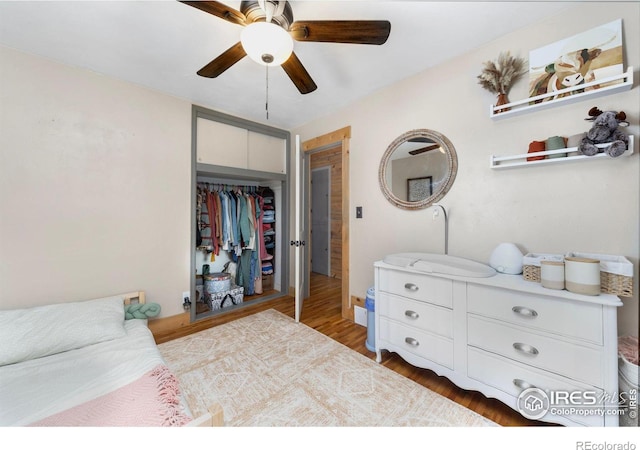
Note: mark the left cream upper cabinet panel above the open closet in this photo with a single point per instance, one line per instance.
(221, 145)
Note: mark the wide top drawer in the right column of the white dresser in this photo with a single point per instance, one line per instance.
(553, 315)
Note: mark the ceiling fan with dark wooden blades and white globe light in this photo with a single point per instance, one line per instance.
(276, 18)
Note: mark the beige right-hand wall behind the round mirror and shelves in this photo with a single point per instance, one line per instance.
(590, 206)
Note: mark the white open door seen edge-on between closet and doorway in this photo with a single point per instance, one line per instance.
(299, 233)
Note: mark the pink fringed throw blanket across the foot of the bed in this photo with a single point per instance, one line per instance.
(152, 400)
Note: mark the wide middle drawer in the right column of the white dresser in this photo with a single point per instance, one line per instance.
(577, 362)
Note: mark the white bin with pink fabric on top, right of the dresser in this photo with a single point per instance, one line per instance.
(628, 379)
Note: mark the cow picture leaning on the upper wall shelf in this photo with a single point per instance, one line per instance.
(581, 59)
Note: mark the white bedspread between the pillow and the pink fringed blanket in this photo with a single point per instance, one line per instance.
(37, 389)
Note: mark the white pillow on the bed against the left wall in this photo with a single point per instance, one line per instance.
(45, 330)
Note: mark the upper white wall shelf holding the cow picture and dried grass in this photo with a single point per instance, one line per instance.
(523, 106)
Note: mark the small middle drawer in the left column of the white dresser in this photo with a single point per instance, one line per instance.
(425, 316)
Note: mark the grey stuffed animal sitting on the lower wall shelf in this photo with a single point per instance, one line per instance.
(605, 131)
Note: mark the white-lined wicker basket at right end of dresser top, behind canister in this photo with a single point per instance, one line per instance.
(616, 273)
